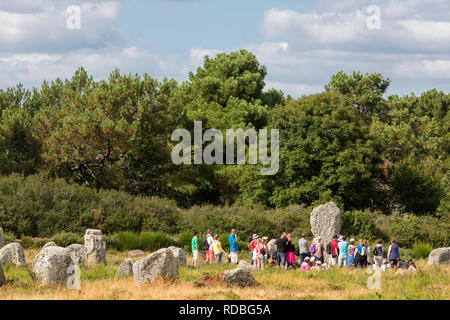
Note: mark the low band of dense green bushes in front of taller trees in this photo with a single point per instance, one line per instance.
(38, 206)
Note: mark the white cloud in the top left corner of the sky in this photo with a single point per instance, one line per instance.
(42, 27)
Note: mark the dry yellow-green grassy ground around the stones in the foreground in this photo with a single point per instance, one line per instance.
(429, 282)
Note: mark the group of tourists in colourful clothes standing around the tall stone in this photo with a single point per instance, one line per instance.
(281, 252)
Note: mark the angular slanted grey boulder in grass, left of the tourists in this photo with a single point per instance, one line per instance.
(160, 263)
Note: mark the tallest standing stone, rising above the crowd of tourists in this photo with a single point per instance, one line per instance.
(325, 222)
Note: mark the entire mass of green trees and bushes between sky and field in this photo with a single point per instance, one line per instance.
(80, 153)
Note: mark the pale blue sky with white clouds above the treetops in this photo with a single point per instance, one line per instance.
(301, 43)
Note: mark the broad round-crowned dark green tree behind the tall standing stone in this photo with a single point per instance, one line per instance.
(326, 153)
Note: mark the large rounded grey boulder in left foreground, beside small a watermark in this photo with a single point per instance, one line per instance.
(52, 265)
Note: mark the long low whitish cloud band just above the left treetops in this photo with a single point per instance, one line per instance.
(32, 69)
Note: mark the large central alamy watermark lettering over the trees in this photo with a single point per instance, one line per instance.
(213, 152)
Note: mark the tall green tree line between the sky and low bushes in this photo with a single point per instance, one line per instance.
(351, 143)
